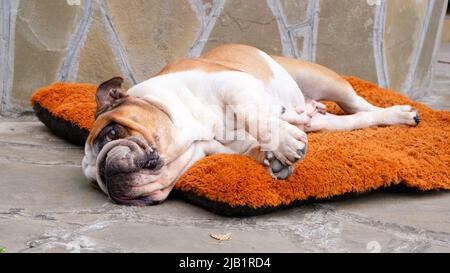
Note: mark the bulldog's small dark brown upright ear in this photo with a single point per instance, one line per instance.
(108, 93)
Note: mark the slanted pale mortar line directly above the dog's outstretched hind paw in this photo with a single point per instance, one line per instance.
(407, 85)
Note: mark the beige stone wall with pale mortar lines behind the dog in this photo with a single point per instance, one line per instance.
(391, 42)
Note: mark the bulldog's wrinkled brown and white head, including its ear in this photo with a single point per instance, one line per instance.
(126, 151)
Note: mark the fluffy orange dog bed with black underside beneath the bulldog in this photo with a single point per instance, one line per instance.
(337, 163)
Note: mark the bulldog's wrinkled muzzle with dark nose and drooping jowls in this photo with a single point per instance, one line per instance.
(128, 167)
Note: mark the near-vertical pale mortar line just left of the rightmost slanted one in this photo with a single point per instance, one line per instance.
(378, 45)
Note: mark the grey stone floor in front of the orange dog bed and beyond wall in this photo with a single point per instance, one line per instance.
(46, 205)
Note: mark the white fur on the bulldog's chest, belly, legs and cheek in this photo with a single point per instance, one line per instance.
(197, 102)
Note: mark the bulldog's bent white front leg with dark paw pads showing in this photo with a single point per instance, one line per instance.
(281, 144)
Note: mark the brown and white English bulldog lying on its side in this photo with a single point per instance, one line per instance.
(234, 99)
